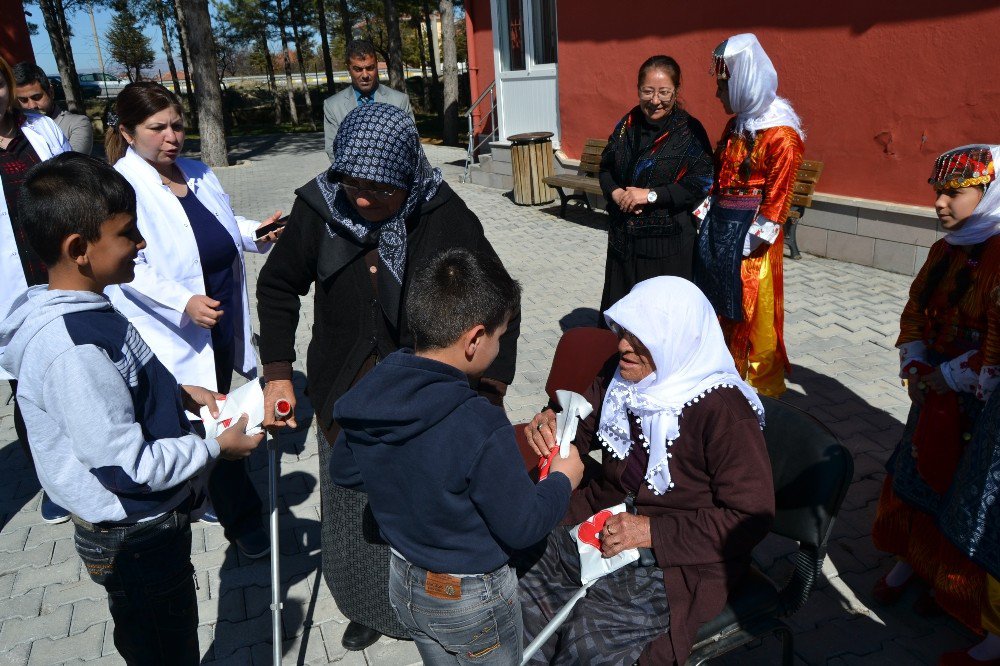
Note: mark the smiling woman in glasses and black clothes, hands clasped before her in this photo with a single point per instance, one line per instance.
(656, 169)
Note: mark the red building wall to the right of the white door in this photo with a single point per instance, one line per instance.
(882, 87)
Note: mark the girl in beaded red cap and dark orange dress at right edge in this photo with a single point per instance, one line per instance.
(949, 346)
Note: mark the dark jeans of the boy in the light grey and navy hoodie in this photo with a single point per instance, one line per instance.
(147, 572)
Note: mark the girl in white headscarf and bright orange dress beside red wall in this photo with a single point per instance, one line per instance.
(740, 250)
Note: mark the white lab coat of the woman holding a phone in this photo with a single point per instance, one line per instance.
(168, 272)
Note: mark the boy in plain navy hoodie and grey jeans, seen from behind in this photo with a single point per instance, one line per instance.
(441, 467)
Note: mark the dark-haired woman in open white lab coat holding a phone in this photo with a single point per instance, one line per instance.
(189, 299)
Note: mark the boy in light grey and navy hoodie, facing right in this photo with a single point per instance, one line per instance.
(106, 419)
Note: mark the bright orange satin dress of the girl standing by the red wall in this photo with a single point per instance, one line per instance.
(757, 343)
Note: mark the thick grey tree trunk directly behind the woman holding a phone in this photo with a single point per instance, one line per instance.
(205, 70)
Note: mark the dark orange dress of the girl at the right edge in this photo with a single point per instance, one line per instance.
(960, 587)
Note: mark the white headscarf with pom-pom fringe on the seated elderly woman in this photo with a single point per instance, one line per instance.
(678, 326)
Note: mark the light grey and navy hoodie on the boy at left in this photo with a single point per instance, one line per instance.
(105, 422)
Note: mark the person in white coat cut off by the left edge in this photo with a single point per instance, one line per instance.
(25, 140)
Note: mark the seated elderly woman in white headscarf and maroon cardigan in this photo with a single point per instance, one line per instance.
(684, 451)
